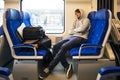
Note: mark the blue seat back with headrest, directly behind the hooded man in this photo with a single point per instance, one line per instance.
(99, 27)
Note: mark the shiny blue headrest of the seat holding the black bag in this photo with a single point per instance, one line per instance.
(13, 14)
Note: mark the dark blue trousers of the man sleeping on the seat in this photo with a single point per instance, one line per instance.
(61, 48)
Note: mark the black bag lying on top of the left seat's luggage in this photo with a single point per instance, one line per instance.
(32, 33)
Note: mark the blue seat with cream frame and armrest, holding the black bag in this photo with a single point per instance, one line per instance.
(12, 20)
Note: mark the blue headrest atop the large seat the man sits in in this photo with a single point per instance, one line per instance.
(102, 14)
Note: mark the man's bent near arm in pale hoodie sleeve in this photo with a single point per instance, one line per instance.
(84, 27)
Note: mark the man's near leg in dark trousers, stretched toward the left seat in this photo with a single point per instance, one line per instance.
(73, 42)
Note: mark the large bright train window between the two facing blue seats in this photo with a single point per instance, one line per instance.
(47, 13)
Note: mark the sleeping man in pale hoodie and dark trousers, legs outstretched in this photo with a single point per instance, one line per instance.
(79, 33)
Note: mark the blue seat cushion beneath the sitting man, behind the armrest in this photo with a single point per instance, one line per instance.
(85, 52)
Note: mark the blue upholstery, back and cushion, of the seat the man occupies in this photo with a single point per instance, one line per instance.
(99, 26)
